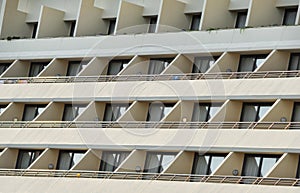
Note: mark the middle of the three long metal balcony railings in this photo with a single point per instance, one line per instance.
(144, 124)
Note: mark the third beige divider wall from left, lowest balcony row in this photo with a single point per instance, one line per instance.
(90, 161)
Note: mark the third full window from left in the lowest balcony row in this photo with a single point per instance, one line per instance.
(112, 160)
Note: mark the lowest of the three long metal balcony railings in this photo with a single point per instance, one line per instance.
(153, 176)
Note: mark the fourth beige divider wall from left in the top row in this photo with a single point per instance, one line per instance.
(130, 19)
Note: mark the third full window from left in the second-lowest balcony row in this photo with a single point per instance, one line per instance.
(114, 111)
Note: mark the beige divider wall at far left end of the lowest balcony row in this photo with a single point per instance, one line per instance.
(11, 155)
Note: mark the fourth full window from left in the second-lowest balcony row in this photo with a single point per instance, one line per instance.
(157, 111)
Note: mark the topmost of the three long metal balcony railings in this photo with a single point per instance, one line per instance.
(146, 77)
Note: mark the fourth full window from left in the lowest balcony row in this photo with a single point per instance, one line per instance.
(158, 162)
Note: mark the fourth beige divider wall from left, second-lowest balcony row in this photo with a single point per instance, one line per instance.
(136, 112)
